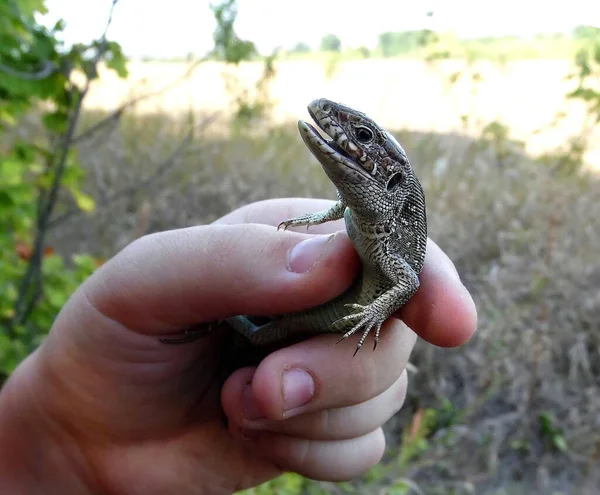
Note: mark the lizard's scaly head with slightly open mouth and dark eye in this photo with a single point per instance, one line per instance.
(360, 158)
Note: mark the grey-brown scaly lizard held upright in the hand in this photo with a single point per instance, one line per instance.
(383, 205)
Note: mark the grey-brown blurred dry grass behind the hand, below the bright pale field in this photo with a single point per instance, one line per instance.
(525, 241)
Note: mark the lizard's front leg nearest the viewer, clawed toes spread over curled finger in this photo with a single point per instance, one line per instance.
(372, 316)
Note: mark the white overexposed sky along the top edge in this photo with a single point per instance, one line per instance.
(177, 27)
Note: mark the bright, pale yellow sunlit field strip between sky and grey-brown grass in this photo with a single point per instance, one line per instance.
(525, 95)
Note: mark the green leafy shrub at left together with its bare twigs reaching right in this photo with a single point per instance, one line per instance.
(37, 78)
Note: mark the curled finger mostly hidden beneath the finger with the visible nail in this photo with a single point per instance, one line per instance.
(340, 423)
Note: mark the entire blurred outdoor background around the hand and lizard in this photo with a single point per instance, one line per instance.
(122, 118)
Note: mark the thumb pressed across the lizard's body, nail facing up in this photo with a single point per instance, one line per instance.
(166, 281)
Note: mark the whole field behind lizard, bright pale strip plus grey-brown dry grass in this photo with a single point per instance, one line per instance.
(517, 409)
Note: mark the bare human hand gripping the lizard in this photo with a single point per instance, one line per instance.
(102, 406)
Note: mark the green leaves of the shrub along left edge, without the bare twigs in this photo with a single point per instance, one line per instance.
(36, 72)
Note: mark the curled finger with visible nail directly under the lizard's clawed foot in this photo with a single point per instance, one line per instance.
(317, 374)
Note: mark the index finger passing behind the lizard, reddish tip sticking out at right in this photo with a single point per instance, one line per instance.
(441, 312)
